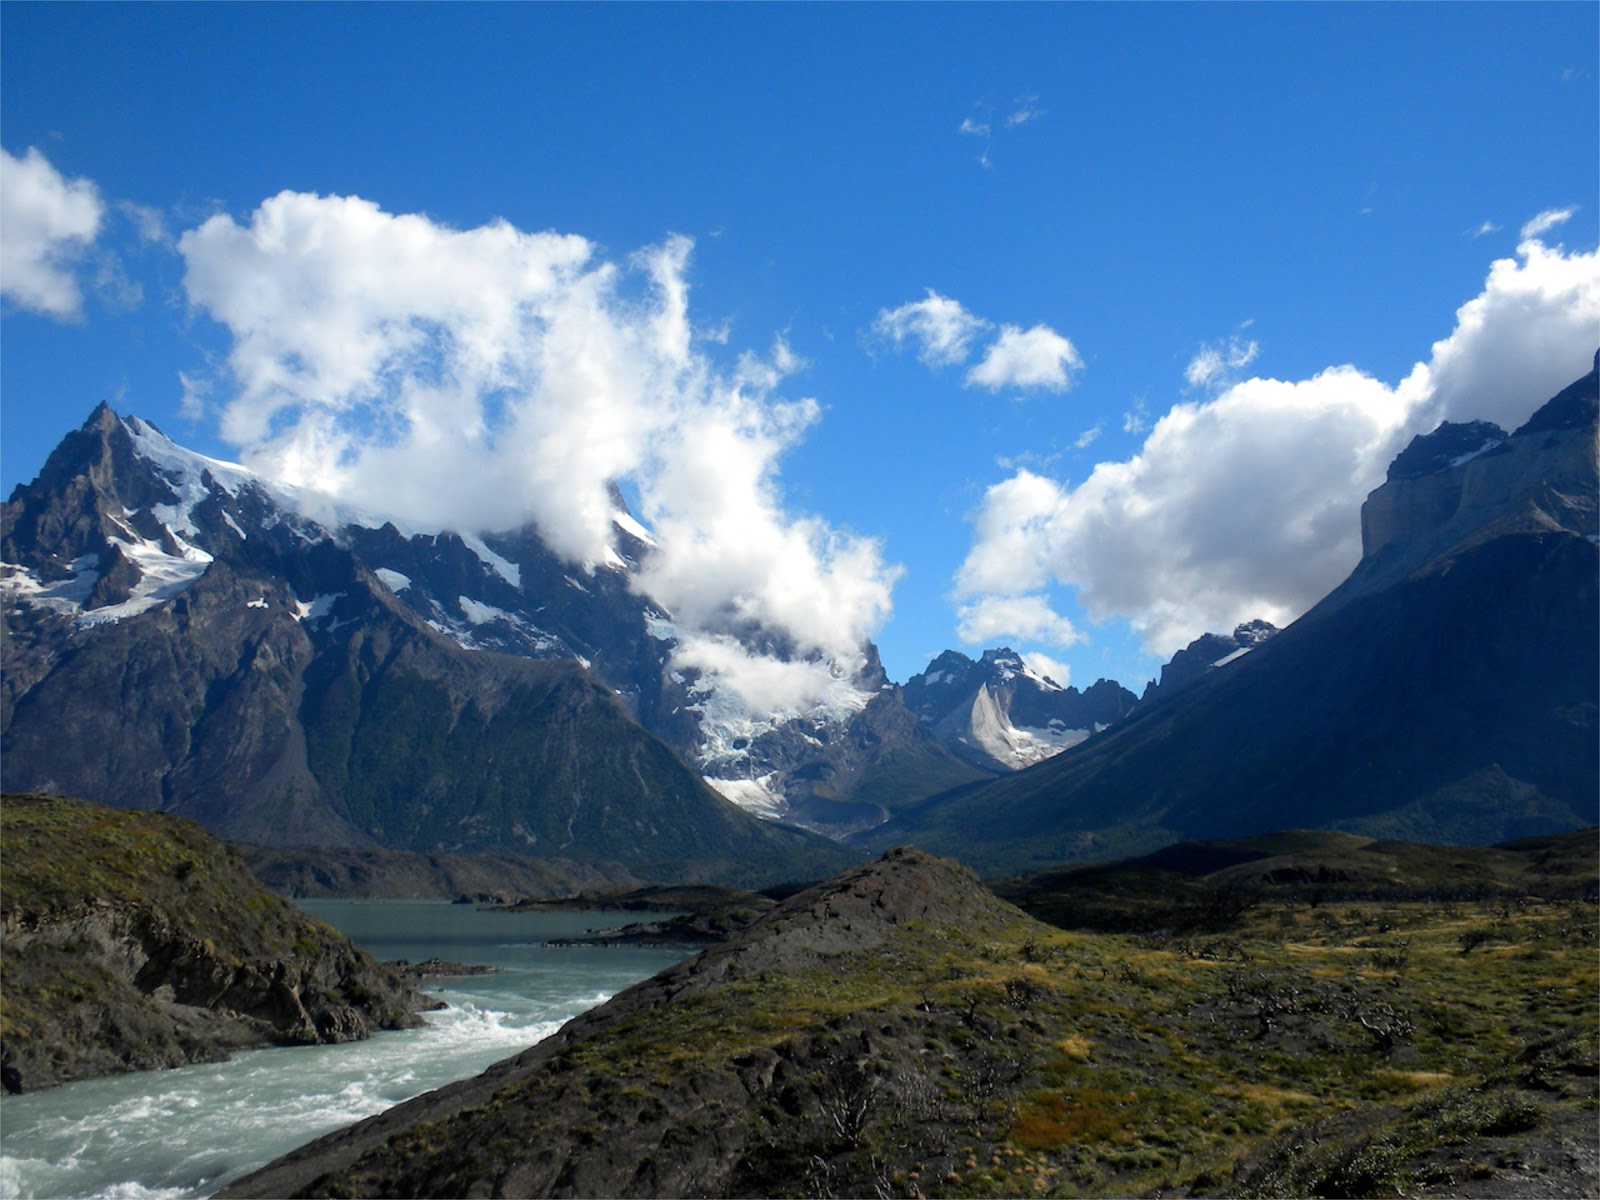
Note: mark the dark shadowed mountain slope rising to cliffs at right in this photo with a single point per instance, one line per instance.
(1447, 692)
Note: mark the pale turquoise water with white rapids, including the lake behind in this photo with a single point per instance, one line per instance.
(191, 1130)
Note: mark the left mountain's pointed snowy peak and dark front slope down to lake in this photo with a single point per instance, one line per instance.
(215, 655)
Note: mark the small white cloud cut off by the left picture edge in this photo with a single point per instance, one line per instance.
(47, 223)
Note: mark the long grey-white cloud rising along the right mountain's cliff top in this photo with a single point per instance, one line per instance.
(1249, 503)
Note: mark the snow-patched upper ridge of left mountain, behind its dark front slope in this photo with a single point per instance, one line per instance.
(124, 522)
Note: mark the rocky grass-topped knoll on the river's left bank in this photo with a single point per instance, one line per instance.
(135, 942)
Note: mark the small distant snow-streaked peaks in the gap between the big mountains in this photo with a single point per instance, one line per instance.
(1001, 714)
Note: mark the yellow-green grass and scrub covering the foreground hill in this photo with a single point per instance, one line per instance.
(1319, 1050)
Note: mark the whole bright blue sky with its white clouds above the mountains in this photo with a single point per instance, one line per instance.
(1110, 314)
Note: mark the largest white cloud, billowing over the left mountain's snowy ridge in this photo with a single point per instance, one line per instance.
(486, 378)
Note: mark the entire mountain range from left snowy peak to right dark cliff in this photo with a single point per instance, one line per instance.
(182, 634)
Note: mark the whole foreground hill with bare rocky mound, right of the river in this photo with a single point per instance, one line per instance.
(902, 1031)
